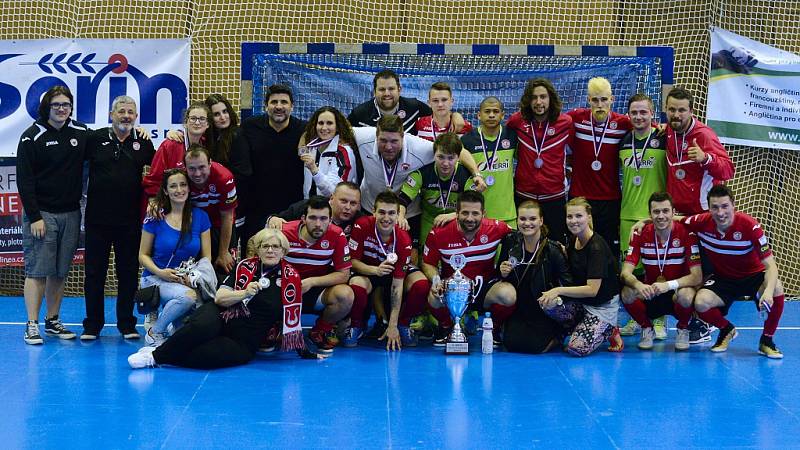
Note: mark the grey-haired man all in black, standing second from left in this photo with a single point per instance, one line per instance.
(118, 156)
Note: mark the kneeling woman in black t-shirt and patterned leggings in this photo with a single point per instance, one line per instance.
(589, 307)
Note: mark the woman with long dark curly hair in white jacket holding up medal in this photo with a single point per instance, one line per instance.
(326, 150)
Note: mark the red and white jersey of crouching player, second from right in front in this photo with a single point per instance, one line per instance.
(676, 256)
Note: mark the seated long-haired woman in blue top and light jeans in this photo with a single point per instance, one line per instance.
(182, 232)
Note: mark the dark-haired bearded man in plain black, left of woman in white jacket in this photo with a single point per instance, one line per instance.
(269, 144)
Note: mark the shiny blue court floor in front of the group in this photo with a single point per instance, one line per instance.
(73, 395)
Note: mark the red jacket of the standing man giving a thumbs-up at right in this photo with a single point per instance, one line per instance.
(689, 192)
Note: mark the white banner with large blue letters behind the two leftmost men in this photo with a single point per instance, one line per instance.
(155, 72)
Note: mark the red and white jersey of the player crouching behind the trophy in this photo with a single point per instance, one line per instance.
(446, 241)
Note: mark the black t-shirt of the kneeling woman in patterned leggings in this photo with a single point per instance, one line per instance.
(594, 261)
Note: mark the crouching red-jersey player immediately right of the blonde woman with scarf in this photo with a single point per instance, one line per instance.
(318, 250)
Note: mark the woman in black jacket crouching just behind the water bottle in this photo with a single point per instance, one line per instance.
(533, 264)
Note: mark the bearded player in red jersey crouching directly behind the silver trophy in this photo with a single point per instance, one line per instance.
(477, 239)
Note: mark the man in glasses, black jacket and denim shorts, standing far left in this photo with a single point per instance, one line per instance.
(49, 167)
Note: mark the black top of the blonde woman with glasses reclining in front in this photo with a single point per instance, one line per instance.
(266, 309)
